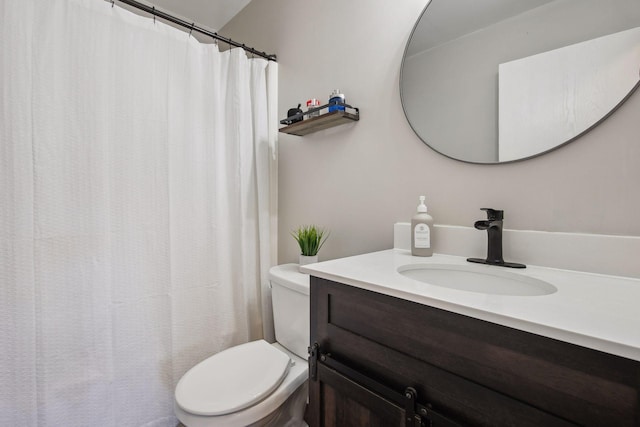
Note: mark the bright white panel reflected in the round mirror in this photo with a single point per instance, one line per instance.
(549, 98)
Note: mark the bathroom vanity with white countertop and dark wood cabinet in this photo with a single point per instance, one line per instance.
(390, 350)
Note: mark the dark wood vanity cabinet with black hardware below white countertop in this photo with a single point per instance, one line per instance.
(372, 351)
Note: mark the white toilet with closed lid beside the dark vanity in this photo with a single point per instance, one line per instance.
(257, 383)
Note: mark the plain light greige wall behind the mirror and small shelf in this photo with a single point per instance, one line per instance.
(358, 179)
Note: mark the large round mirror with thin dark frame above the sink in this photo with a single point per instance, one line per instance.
(493, 81)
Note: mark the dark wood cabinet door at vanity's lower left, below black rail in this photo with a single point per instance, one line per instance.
(338, 401)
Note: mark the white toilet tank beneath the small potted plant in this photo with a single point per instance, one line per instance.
(290, 299)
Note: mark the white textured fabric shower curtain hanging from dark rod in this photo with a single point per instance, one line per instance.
(135, 210)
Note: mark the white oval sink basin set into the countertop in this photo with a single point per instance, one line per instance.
(480, 279)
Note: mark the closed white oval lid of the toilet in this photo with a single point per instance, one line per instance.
(233, 379)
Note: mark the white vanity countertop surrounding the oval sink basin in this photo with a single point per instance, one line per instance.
(592, 310)
